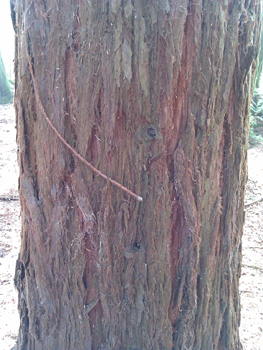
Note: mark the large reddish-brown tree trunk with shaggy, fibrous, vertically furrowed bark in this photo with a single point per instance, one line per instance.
(156, 96)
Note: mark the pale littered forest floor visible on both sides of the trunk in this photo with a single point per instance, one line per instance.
(251, 283)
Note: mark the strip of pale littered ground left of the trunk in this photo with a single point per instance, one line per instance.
(9, 228)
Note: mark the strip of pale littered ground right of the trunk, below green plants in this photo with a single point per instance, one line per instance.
(251, 283)
